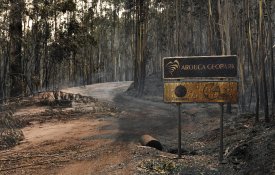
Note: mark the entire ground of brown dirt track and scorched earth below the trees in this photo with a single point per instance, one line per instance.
(90, 136)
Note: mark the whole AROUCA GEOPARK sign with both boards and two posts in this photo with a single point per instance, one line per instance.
(204, 79)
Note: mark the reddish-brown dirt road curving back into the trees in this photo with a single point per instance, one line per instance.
(107, 142)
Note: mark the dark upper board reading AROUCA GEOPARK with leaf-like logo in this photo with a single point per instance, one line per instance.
(200, 66)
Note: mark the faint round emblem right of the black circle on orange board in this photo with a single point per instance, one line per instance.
(211, 91)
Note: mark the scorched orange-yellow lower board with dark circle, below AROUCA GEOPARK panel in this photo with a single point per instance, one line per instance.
(201, 92)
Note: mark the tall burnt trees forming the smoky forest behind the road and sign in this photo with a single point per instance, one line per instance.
(51, 44)
